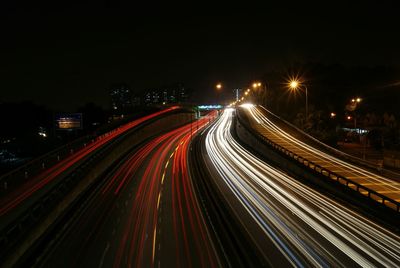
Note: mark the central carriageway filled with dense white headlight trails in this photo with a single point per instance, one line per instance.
(289, 222)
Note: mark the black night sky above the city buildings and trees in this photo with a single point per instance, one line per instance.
(67, 54)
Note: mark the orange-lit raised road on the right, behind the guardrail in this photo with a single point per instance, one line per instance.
(271, 130)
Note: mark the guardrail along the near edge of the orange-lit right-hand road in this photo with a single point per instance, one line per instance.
(365, 191)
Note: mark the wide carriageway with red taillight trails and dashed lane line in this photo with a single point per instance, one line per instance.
(145, 213)
